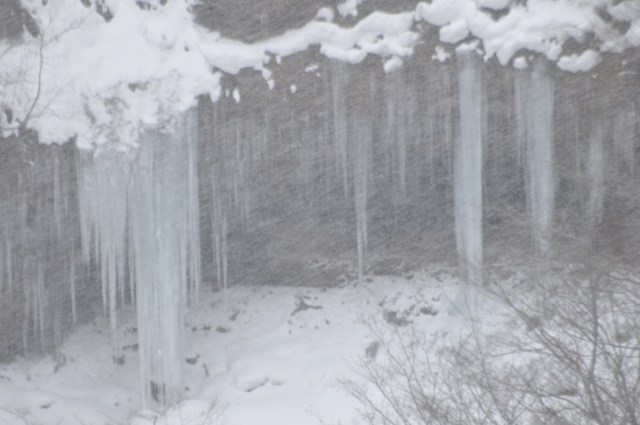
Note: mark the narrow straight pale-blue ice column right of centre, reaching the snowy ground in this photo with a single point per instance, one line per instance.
(468, 168)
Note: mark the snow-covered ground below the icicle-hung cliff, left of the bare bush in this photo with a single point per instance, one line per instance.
(253, 355)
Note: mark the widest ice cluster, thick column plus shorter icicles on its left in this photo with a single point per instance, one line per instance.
(156, 196)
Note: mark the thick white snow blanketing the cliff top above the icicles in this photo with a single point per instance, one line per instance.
(97, 80)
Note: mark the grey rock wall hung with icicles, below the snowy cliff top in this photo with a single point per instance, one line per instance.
(338, 173)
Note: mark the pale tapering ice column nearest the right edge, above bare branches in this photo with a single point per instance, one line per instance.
(539, 150)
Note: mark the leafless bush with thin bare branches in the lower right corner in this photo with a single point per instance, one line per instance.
(565, 349)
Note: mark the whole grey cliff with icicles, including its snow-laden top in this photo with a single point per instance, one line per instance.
(355, 144)
